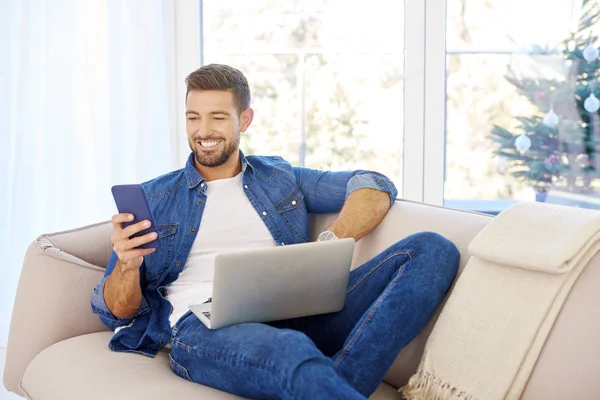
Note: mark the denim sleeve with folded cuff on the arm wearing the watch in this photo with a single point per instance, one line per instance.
(326, 191)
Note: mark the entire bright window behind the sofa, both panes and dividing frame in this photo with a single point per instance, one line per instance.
(329, 80)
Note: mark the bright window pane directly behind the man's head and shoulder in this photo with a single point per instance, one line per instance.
(327, 78)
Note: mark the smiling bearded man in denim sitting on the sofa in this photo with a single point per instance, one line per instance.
(223, 200)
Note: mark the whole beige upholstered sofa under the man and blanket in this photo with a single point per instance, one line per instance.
(57, 348)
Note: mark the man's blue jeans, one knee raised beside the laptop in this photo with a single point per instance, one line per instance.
(342, 355)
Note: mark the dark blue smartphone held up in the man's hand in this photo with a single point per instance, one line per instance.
(132, 199)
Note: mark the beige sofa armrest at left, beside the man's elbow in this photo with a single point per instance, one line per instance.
(52, 304)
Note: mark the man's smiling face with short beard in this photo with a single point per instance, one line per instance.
(213, 126)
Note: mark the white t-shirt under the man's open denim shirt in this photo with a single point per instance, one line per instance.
(229, 223)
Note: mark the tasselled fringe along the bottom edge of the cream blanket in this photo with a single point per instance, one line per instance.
(426, 386)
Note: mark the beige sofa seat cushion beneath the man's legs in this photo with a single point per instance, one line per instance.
(84, 368)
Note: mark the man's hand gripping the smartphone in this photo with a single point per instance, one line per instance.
(124, 246)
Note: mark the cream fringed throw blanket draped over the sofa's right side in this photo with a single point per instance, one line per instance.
(491, 331)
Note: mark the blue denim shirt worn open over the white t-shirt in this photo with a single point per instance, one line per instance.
(281, 194)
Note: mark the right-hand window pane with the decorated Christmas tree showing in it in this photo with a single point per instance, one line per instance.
(519, 125)
